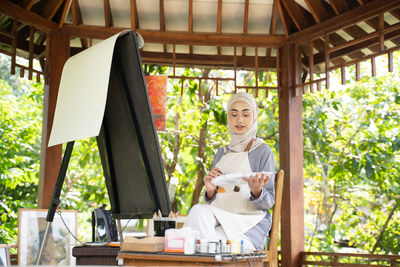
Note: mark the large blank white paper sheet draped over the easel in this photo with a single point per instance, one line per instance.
(83, 92)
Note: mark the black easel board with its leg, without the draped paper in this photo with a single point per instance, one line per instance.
(128, 144)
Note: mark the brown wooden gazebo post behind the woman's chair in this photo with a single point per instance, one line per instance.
(291, 157)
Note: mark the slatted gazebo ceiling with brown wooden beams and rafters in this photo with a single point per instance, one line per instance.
(206, 32)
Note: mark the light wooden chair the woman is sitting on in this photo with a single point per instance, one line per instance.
(272, 248)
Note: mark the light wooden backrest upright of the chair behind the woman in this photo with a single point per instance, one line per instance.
(276, 213)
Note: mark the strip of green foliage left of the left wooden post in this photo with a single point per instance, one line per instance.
(20, 145)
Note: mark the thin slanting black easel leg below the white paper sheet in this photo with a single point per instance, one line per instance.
(55, 201)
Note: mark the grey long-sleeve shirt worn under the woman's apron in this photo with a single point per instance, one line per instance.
(261, 159)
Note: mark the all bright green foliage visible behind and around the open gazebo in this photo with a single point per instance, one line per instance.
(351, 154)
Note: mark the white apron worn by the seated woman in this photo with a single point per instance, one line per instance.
(233, 210)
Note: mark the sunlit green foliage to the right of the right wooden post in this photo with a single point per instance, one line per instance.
(351, 165)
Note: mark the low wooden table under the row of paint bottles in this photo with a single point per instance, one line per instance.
(175, 259)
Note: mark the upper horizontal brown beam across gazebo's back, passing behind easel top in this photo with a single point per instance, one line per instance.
(175, 37)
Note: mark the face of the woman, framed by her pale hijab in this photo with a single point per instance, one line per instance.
(240, 117)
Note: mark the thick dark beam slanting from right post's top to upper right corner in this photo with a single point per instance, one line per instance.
(351, 17)
